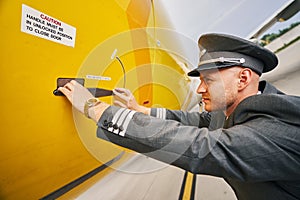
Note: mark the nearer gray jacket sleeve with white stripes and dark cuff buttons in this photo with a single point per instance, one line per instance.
(242, 152)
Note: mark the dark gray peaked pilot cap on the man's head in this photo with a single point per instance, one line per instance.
(221, 50)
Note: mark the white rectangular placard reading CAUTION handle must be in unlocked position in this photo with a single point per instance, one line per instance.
(42, 25)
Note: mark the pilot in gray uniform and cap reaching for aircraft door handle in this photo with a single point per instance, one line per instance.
(249, 134)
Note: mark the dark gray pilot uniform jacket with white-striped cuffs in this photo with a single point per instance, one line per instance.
(256, 150)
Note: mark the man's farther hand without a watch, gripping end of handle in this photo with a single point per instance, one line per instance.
(124, 98)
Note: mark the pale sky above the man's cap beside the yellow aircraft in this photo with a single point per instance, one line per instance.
(238, 17)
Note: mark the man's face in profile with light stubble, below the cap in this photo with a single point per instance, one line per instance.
(218, 88)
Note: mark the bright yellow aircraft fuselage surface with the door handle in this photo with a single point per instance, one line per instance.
(42, 147)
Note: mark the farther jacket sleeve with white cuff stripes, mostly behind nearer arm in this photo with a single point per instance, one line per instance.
(186, 118)
